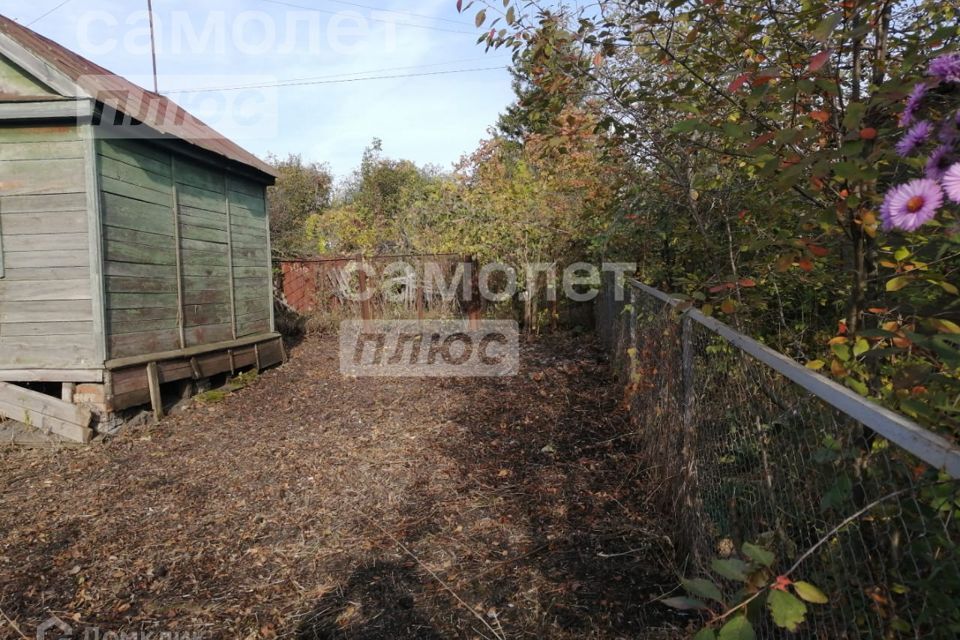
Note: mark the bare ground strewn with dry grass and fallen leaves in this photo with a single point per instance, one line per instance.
(312, 506)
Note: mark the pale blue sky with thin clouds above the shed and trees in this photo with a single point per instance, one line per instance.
(317, 47)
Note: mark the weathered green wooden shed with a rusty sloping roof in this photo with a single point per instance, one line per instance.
(134, 243)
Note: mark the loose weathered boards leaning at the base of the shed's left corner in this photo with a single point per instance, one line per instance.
(46, 412)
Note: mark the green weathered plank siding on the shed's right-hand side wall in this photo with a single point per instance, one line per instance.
(168, 235)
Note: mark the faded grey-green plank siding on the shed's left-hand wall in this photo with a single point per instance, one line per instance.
(46, 309)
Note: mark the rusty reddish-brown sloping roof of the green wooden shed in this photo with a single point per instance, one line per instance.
(156, 111)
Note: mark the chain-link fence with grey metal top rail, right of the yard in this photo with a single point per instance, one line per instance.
(744, 445)
